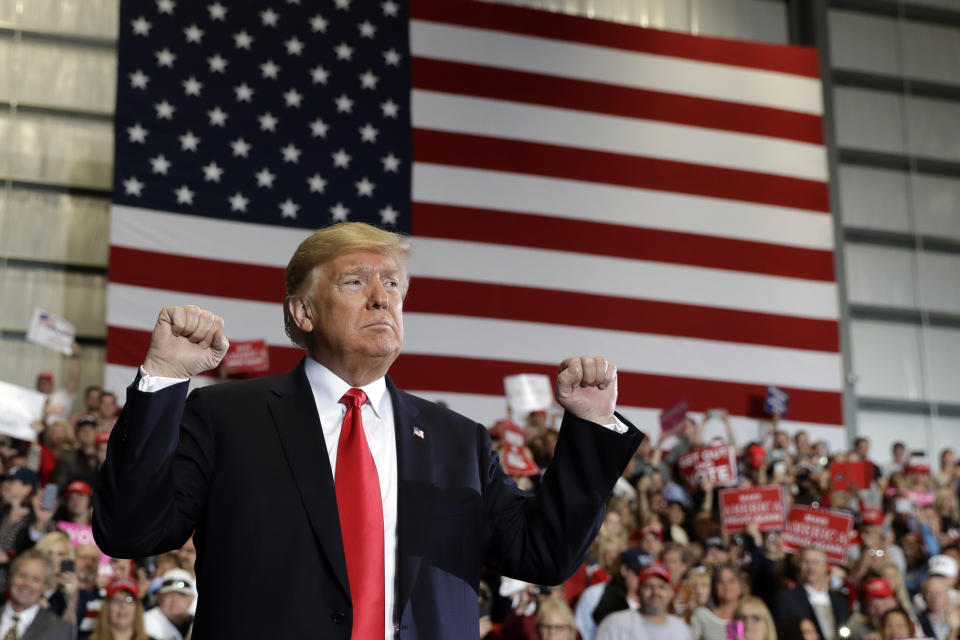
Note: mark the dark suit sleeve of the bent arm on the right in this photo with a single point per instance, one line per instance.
(543, 538)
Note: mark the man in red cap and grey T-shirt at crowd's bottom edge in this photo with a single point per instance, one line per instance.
(652, 622)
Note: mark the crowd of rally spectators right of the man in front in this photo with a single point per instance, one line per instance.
(663, 567)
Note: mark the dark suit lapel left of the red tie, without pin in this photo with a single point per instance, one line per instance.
(294, 412)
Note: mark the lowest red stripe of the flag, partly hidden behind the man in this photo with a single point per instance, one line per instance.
(127, 347)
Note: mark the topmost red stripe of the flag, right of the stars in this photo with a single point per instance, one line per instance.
(557, 26)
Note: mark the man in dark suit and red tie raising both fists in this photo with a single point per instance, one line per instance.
(305, 529)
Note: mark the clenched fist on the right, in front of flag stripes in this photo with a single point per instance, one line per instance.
(587, 387)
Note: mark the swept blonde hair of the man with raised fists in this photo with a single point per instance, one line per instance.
(324, 245)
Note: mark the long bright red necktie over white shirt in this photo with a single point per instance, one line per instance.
(361, 521)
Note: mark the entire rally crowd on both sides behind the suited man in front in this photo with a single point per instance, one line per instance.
(660, 567)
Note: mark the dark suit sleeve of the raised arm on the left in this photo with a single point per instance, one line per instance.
(152, 485)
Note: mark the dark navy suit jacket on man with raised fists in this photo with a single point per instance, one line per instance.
(245, 465)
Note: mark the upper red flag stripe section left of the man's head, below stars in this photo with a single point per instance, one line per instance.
(196, 275)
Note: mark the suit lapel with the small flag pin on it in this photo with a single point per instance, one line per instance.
(413, 492)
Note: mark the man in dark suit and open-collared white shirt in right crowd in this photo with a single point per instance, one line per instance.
(813, 598)
